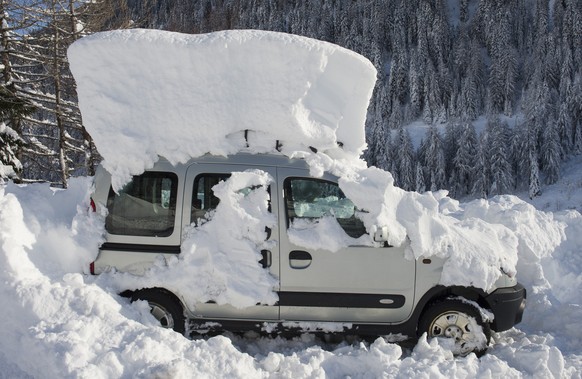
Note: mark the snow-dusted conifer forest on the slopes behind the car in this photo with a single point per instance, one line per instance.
(480, 97)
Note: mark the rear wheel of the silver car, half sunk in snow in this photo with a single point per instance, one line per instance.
(164, 307)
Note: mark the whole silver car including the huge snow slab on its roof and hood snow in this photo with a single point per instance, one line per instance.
(262, 213)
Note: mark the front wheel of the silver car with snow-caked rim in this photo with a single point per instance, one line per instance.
(461, 321)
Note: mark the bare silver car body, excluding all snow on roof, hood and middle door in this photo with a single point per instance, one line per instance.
(362, 289)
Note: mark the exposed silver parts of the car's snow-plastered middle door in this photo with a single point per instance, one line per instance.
(198, 200)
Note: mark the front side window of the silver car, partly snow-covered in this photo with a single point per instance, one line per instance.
(317, 198)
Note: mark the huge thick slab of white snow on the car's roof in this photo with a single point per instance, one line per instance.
(146, 93)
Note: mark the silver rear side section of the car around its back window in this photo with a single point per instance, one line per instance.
(143, 219)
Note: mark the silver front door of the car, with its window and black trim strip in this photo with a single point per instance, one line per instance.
(352, 284)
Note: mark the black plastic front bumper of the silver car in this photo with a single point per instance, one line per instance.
(507, 304)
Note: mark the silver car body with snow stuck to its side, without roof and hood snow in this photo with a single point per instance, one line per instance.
(299, 242)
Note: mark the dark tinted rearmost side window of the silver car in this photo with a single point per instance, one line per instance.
(144, 207)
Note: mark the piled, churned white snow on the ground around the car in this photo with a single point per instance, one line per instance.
(58, 324)
